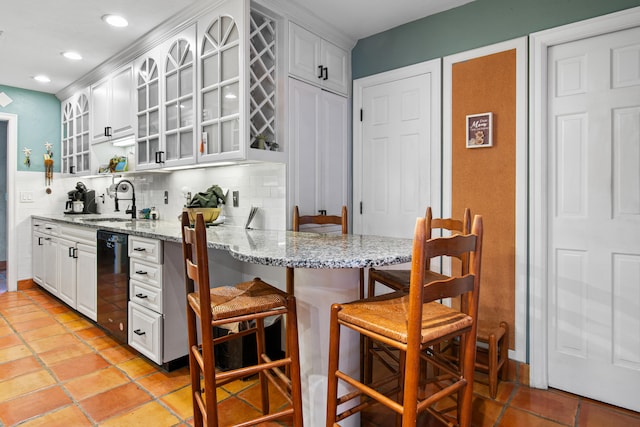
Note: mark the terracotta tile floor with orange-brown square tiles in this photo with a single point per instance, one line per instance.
(58, 369)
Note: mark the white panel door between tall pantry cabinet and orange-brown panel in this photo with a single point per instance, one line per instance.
(400, 158)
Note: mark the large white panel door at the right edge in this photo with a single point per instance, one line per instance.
(594, 217)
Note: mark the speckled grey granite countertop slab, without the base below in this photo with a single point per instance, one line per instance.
(266, 247)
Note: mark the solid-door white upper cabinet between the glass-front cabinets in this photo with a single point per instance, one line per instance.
(112, 106)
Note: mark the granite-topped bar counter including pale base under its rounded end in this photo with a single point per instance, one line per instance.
(326, 271)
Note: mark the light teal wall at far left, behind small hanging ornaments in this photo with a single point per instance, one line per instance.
(38, 122)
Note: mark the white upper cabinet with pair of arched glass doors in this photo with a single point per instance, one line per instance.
(165, 90)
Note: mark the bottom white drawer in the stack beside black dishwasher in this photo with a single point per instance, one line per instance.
(145, 331)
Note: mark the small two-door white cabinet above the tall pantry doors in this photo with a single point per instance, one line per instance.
(318, 61)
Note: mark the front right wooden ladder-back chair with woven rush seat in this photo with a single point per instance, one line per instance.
(412, 323)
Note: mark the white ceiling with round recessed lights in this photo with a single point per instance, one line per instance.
(34, 33)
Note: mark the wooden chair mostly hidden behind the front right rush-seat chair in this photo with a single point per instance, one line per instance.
(398, 280)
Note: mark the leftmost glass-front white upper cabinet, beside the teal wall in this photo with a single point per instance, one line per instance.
(75, 151)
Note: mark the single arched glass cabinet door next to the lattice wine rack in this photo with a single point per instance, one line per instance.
(221, 83)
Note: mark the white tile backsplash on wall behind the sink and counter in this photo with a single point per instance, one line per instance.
(258, 184)
